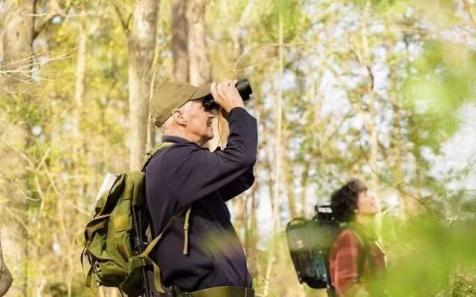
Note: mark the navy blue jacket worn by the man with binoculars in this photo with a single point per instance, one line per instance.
(188, 174)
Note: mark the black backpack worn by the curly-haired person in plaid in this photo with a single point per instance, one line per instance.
(310, 242)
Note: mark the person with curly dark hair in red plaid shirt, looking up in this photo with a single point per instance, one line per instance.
(356, 257)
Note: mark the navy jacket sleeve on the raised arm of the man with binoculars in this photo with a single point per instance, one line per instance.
(200, 172)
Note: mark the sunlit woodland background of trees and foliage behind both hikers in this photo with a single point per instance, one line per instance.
(382, 90)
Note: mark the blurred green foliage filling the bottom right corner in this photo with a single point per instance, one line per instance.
(429, 256)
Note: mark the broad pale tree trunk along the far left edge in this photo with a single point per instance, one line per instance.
(17, 58)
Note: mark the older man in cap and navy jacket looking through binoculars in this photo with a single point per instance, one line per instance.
(200, 255)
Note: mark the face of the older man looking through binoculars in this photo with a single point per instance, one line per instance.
(199, 122)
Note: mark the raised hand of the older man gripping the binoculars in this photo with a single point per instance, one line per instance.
(226, 95)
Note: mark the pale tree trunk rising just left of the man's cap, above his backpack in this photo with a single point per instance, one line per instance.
(142, 39)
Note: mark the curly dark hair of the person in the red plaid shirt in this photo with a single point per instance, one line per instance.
(344, 200)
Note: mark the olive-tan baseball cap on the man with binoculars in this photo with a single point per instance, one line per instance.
(172, 95)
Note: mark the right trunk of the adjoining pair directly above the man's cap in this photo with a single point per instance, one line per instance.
(200, 68)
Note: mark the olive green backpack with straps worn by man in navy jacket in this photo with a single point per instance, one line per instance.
(114, 237)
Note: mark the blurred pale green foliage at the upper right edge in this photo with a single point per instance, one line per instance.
(444, 79)
